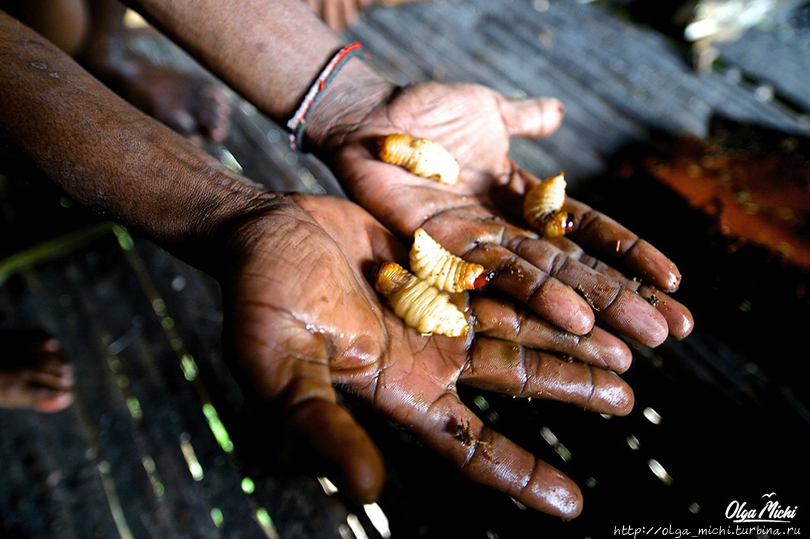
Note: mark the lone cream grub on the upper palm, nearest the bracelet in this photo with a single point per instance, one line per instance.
(420, 156)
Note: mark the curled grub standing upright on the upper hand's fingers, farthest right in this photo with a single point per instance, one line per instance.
(542, 208)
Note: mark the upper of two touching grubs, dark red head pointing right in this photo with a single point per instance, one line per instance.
(434, 264)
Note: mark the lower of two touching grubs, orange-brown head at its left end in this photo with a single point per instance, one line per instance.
(420, 305)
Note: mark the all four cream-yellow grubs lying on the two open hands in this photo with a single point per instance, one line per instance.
(422, 298)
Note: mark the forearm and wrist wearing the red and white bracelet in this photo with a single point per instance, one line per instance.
(270, 52)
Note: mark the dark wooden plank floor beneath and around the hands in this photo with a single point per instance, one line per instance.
(161, 444)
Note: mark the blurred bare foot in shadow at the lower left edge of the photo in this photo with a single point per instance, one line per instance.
(33, 372)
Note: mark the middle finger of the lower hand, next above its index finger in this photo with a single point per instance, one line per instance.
(516, 370)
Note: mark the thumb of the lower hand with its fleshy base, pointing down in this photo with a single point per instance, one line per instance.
(289, 365)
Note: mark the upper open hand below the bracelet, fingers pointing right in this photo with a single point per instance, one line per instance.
(480, 218)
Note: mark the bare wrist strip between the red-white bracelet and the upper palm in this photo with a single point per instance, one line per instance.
(356, 91)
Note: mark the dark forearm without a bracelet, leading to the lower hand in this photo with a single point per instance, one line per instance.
(109, 156)
